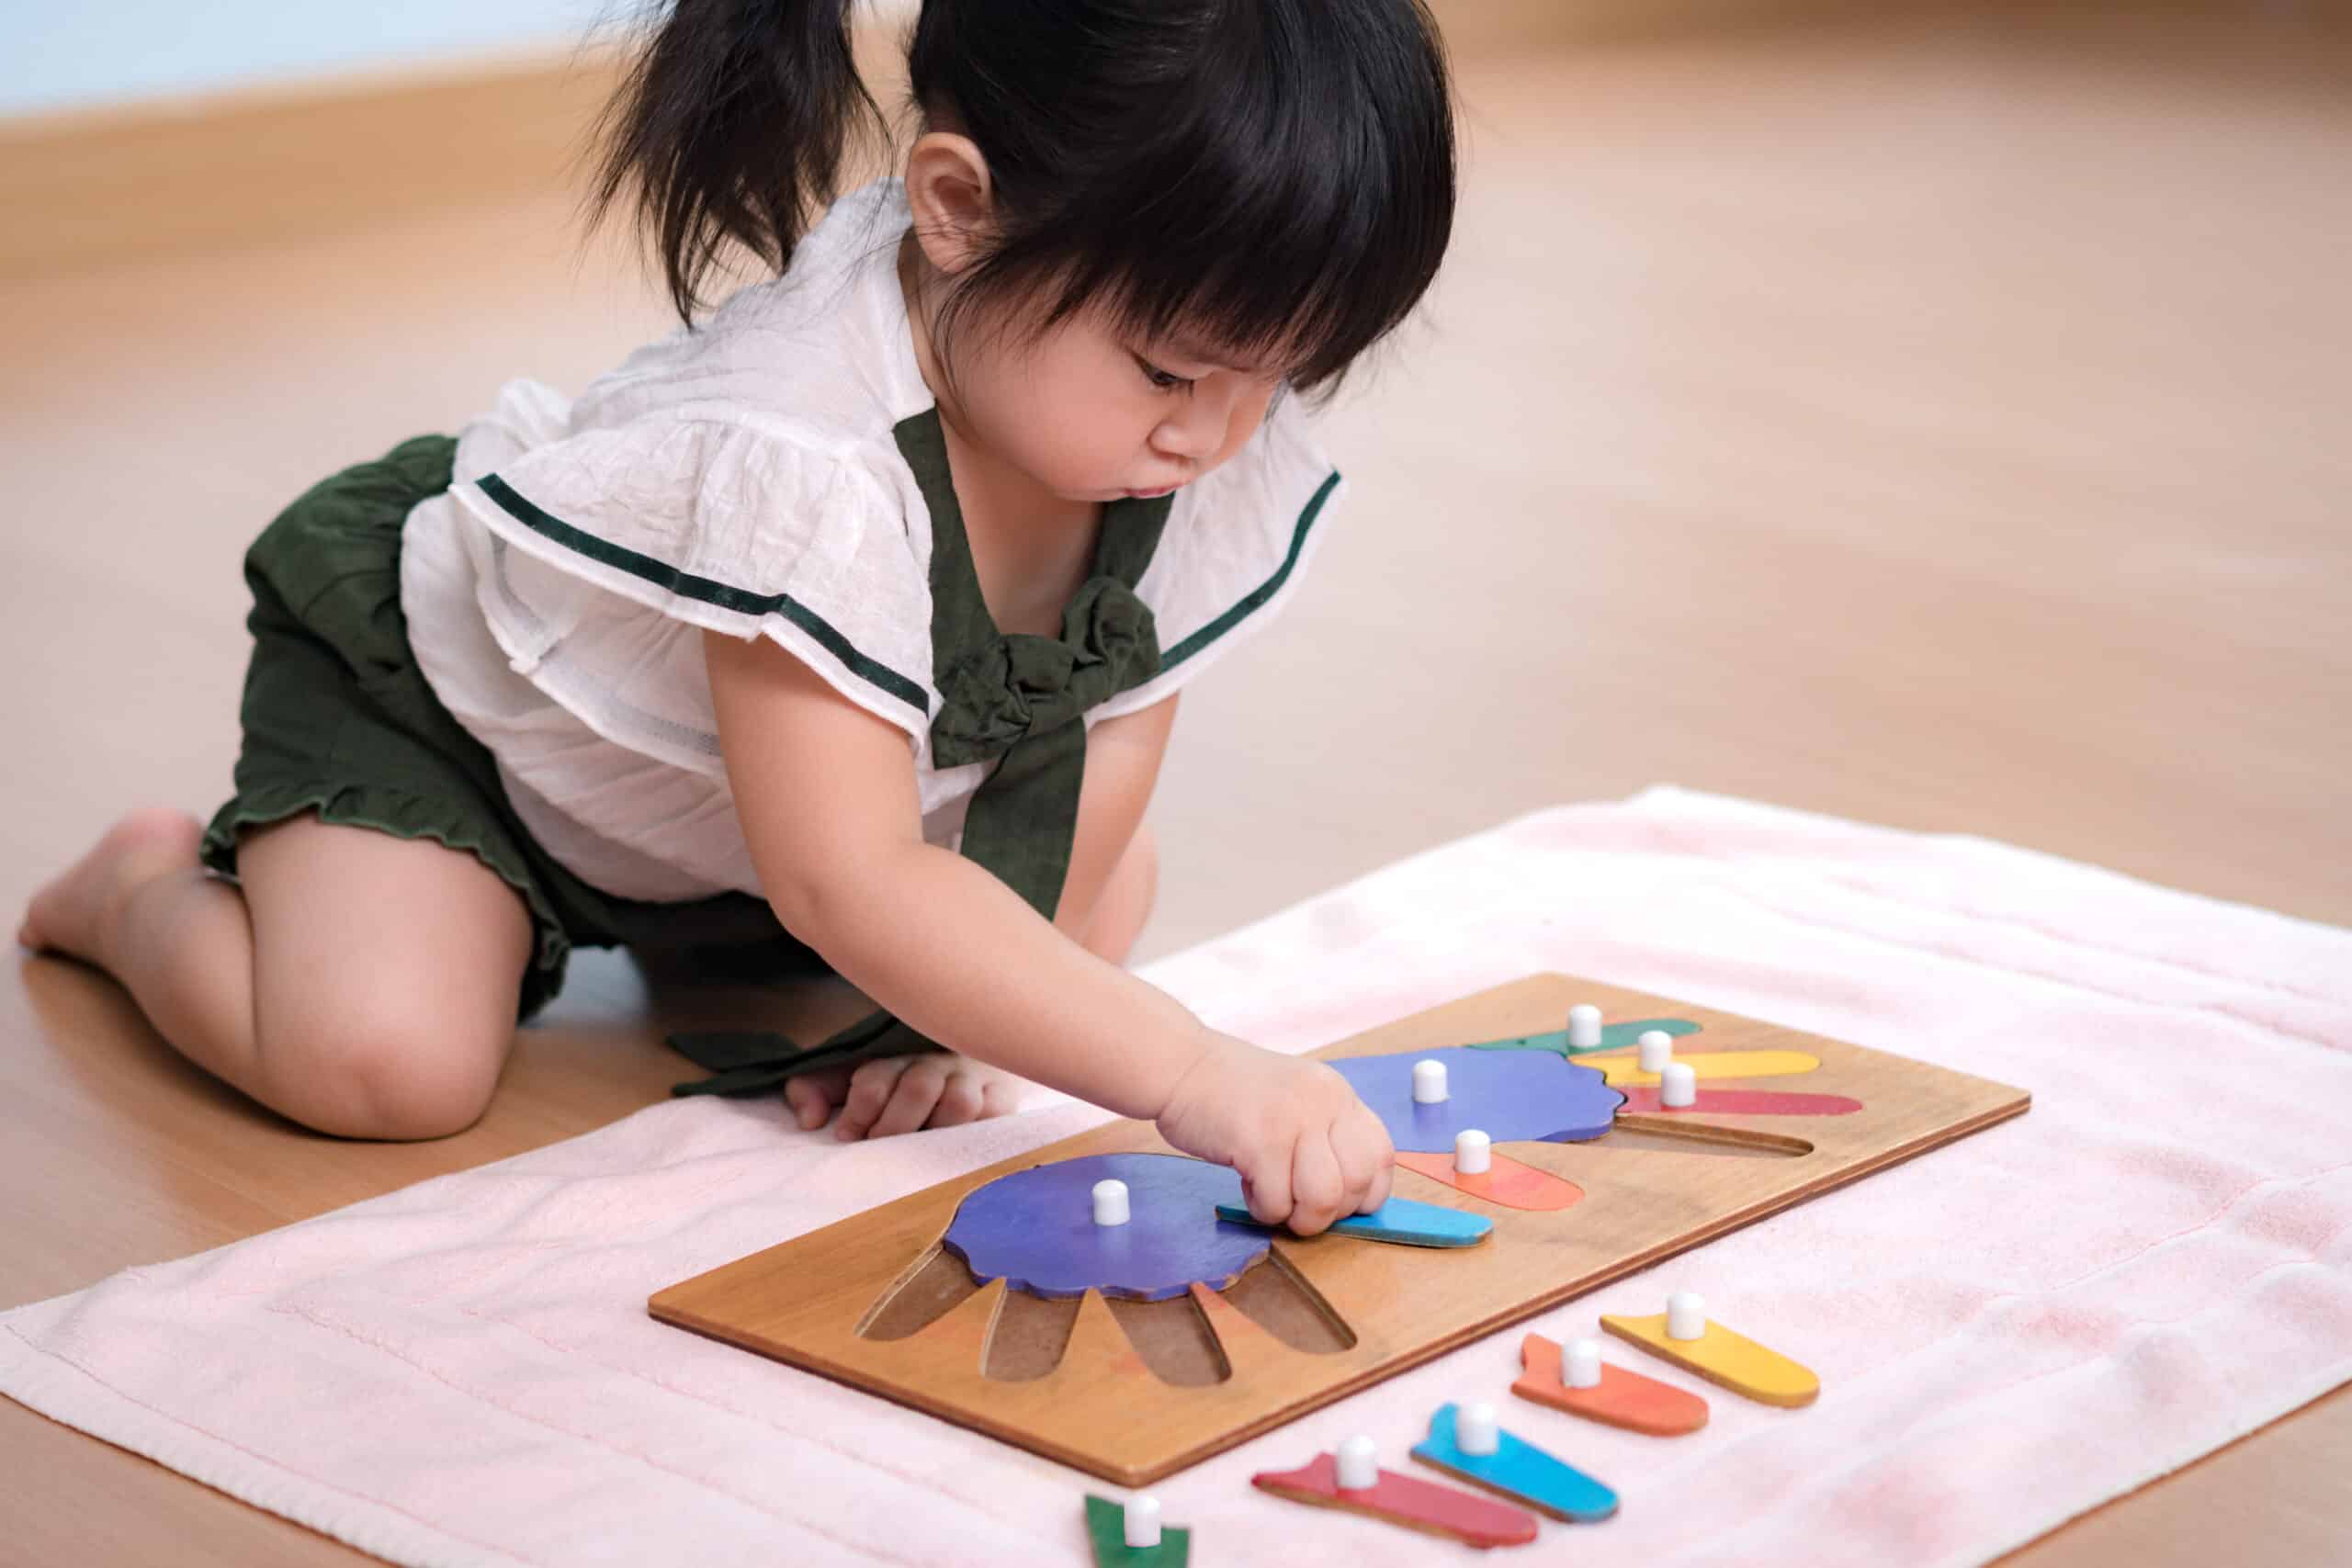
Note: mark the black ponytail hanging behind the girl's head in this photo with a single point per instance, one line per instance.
(733, 128)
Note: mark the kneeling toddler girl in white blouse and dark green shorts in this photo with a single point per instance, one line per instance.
(855, 610)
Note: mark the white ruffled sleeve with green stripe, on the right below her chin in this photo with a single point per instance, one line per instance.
(1236, 551)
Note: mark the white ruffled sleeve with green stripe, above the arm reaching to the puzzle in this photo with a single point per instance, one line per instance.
(714, 523)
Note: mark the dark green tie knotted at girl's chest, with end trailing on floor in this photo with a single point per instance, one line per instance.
(1013, 699)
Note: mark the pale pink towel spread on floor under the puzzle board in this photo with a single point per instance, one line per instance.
(2010, 1329)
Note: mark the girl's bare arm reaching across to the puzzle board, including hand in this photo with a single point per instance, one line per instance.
(834, 822)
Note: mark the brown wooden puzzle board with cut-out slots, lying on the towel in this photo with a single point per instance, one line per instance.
(1140, 1391)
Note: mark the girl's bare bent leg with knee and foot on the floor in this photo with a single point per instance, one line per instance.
(359, 984)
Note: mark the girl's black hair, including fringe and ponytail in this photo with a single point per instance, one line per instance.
(1269, 175)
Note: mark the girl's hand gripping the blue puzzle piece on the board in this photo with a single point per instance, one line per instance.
(1307, 1148)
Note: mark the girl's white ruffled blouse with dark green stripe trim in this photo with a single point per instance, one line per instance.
(747, 478)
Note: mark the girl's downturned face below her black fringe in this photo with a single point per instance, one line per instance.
(1095, 417)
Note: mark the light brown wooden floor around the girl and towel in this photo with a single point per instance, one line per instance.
(1937, 424)
